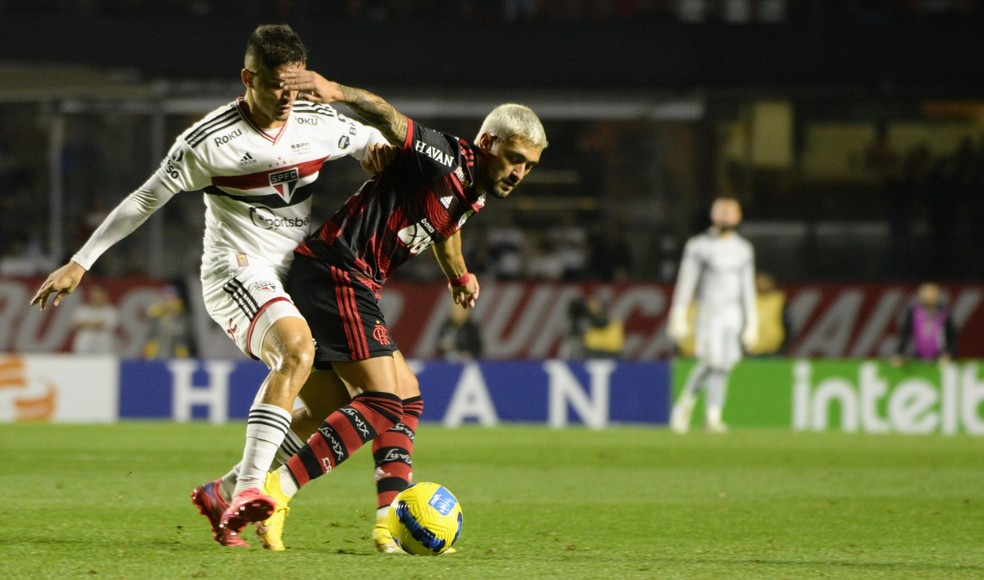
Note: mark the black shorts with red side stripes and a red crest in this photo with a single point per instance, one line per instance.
(342, 311)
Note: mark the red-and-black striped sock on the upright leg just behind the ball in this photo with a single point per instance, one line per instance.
(393, 453)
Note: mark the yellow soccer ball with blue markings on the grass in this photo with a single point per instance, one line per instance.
(425, 519)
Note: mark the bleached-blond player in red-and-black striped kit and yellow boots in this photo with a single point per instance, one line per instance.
(420, 201)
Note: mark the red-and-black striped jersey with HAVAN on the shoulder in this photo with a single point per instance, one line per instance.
(424, 196)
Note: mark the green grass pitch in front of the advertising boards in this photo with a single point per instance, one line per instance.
(630, 502)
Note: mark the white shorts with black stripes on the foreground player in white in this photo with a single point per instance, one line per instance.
(246, 301)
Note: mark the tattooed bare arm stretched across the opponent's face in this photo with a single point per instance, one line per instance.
(372, 108)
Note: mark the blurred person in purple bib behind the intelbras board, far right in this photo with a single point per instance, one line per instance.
(928, 332)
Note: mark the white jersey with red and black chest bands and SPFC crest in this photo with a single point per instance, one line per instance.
(257, 182)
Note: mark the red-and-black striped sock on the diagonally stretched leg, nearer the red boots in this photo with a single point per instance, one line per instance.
(343, 432)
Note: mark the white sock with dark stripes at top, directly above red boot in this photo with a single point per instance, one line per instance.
(265, 431)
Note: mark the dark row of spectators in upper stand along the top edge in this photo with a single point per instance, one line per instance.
(590, 11)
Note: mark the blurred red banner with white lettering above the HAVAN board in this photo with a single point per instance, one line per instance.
(524, 321)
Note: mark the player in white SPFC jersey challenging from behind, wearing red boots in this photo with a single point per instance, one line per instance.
(255, 159)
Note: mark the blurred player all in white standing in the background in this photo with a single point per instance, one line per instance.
(718, 272)
